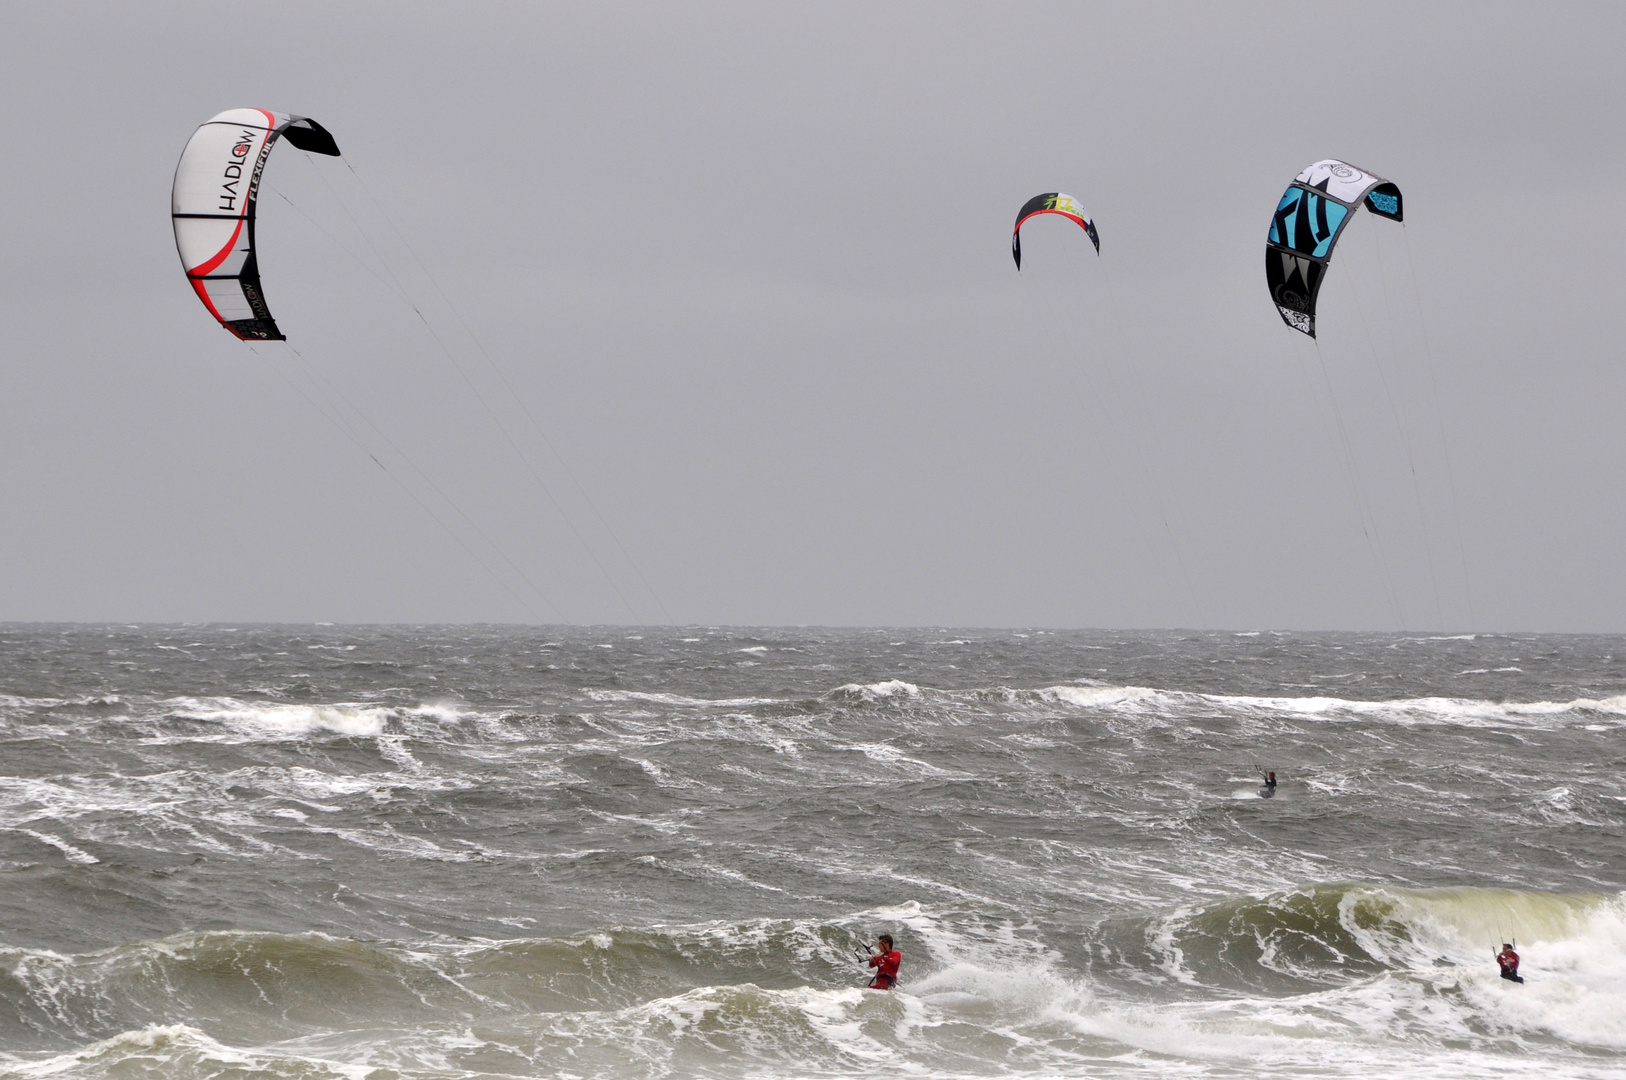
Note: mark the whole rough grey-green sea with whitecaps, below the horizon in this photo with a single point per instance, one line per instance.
(279, 851)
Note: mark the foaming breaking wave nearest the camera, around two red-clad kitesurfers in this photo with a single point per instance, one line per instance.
(1302, 973)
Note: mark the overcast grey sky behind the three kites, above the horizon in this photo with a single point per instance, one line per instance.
(720, 321)
